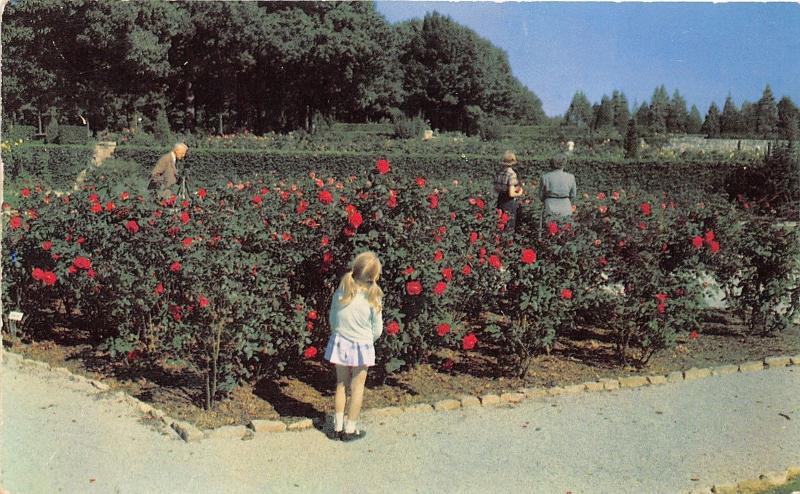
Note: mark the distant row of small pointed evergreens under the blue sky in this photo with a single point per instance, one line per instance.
(663, 114)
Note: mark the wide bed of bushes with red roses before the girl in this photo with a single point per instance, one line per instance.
(236, 280)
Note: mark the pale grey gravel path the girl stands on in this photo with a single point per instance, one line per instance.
(646, 440)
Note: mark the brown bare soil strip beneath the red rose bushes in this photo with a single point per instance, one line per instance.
(586, 356)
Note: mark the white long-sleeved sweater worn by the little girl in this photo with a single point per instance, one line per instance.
(356, 321)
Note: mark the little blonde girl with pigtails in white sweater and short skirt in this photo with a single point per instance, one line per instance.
(356, 323)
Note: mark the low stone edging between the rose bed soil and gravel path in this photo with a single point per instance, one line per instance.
(190, 433)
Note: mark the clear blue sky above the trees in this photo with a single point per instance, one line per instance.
(704, 50)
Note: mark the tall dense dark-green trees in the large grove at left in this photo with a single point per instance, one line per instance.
(262, 66)
